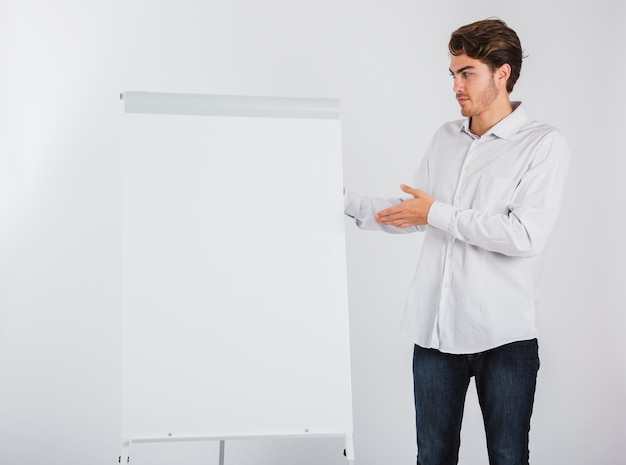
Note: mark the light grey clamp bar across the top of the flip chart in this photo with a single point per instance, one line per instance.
(229, 105)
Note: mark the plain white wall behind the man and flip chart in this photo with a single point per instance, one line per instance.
(62, 66)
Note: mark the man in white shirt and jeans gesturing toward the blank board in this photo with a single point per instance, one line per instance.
(487, 194)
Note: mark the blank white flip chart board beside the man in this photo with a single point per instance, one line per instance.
(235, 314)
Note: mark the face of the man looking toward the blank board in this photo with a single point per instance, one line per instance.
(474, 85)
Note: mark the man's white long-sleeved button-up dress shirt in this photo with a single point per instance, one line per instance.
(497, 197)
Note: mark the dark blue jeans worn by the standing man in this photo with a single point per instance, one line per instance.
(505, 381)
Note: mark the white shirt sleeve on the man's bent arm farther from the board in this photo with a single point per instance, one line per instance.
(533, 209)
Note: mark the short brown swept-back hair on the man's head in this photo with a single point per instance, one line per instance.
(492, 42)
